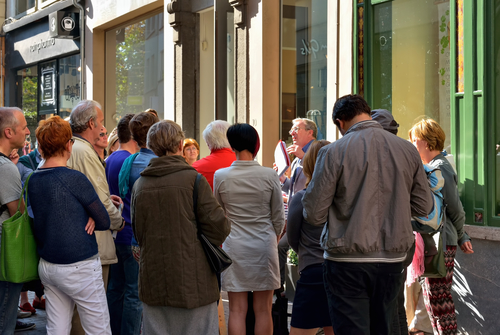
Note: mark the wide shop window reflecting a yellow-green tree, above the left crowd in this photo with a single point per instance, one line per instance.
(134, 64)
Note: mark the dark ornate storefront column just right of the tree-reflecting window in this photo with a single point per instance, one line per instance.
(183, 22)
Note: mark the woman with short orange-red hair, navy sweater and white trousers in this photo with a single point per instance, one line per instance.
(66, 211)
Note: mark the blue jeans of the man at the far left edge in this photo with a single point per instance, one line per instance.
(9, 299)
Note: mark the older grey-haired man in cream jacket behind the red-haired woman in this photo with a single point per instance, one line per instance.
(86, 122)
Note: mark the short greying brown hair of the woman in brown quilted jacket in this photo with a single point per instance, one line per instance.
(165, 137)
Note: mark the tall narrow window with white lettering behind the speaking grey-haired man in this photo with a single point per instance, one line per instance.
(303, 66)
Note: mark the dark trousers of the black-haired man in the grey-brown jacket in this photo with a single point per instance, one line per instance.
(362, 296)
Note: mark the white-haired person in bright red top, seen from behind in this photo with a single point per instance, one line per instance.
(221, 154)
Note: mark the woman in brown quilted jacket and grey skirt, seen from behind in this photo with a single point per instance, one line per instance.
(176, 284)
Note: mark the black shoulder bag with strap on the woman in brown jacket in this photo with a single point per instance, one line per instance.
(217, 258)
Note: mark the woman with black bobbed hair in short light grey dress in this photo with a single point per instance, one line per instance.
(251, 197)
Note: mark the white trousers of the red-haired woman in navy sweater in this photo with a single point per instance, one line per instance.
(78, 283)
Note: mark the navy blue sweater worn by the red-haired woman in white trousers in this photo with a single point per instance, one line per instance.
(62, 201)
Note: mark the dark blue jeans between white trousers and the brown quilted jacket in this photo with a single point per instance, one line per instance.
(125, 308)
